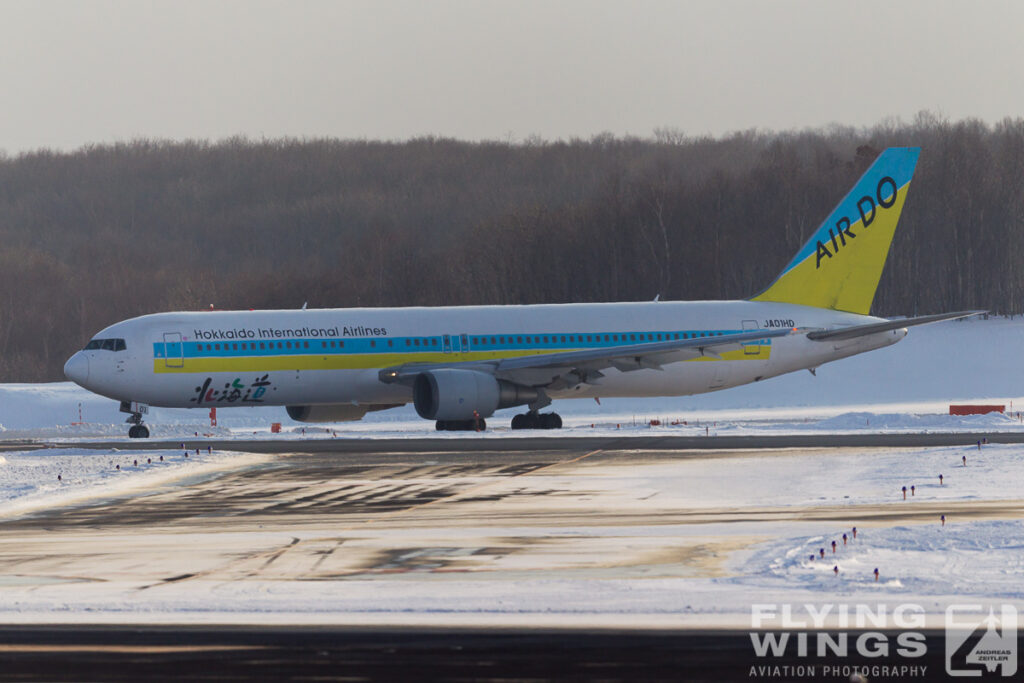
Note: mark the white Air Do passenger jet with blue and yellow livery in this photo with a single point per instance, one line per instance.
(459, 365)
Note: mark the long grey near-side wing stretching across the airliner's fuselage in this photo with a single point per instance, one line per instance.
(573, 368)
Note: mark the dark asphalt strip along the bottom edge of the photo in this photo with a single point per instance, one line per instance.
(232, 654)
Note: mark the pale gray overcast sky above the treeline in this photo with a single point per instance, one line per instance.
(76, 73)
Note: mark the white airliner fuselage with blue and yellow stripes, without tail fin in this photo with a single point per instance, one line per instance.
(332, 357)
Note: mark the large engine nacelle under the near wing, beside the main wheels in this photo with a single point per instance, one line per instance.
(456, 395)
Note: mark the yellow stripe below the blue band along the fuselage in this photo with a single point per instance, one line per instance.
(268, 364)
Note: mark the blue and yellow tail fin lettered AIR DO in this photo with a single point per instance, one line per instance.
(841, 265)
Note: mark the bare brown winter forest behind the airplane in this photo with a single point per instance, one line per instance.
(109, 232)
